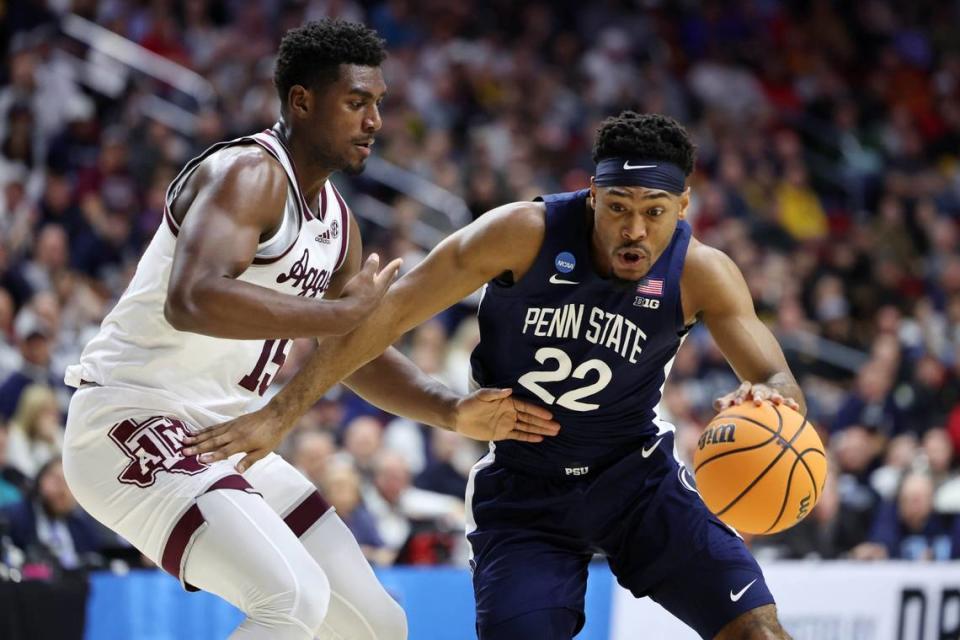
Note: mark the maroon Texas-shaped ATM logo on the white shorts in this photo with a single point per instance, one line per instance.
(153, 445)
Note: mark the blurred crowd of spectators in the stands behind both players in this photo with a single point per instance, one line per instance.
(828, 168)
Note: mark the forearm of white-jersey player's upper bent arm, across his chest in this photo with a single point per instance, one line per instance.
(229, 308)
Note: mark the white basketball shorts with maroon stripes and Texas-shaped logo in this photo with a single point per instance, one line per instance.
(122, 460)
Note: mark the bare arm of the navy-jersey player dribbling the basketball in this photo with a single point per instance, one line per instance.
(715, 289)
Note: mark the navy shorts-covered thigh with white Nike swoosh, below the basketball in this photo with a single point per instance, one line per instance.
(688, 561)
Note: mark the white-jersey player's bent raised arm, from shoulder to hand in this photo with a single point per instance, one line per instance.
(233, 200)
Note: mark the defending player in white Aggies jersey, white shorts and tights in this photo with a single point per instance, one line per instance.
(254, 236)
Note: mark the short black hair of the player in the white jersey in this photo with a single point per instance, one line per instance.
(311, 55)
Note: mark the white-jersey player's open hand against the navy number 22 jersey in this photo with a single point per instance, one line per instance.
(493, 414)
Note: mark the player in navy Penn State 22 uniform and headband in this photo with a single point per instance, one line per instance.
(588, 297)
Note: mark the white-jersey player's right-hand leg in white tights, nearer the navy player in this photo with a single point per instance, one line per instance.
(360, 607)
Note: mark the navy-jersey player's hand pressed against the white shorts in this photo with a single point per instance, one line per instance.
(255, 434)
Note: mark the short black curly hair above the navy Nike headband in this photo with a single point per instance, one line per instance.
(650, 136)
